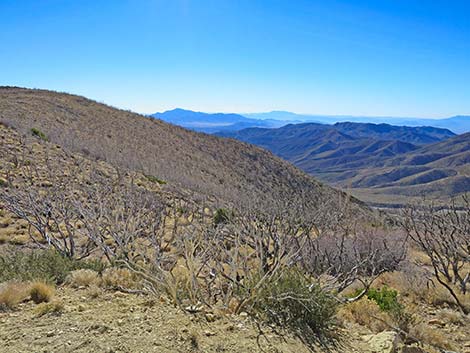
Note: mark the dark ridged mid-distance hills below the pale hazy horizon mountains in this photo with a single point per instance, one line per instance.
(370, 156)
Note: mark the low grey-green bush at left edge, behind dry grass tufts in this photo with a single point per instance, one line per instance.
(45, 265)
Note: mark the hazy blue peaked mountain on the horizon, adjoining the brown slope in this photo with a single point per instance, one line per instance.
(211, 123)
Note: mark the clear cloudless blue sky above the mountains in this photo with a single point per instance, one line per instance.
(357, 57)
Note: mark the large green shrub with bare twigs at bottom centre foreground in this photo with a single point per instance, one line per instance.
(290, 300)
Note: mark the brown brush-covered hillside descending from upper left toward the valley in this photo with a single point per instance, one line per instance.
(223, 170)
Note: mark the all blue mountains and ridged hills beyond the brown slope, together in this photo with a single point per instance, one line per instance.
(383, 164)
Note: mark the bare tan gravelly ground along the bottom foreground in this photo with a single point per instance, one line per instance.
(121, 322)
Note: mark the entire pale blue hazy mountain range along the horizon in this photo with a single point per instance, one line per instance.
(211, 123)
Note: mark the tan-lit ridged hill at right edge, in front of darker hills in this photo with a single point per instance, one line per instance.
(440, 171)
